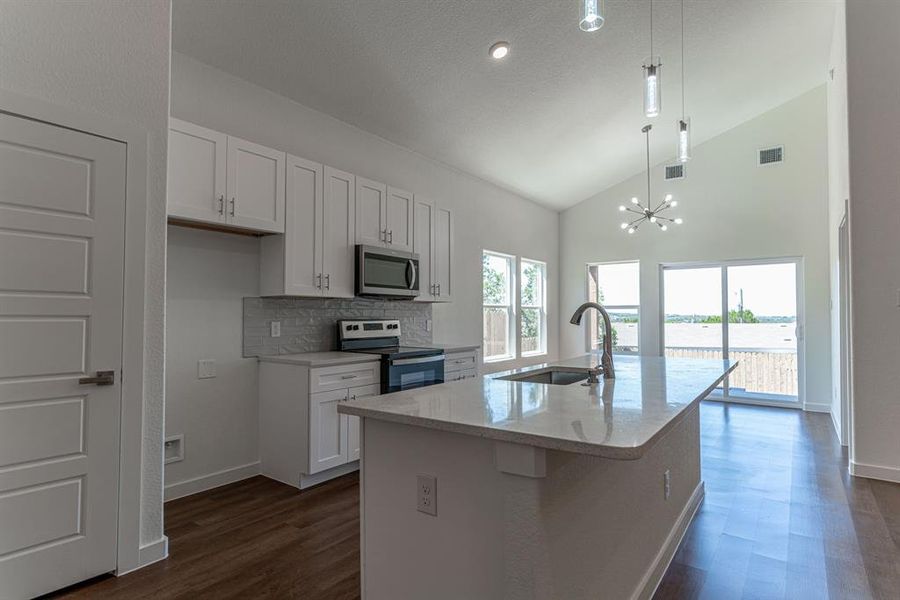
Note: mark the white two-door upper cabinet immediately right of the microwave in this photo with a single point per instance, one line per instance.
(433, 241)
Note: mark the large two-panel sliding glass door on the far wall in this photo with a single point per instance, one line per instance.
(745, 311)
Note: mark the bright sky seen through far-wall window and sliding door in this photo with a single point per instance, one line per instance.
(769, 290)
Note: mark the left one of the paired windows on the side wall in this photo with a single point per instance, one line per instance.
(498, 274)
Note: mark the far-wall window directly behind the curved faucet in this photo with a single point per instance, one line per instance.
(617, 287)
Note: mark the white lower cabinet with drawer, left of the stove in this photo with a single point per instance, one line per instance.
(302, 435)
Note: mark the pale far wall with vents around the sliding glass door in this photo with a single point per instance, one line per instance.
(733, 209)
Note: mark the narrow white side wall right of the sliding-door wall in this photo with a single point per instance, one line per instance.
(838, 191)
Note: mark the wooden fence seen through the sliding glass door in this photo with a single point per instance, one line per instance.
(759, 371)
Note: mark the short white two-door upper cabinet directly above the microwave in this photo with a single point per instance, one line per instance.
(384, 215)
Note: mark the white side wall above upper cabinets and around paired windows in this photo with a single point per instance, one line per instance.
(485, 216)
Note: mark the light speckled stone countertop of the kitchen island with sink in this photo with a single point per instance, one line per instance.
(617, 419)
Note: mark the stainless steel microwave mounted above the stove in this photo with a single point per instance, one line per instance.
(383, 272)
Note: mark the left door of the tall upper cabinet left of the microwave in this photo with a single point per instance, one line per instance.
(304, 228)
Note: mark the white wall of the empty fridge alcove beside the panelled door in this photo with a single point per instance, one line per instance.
(208, 275)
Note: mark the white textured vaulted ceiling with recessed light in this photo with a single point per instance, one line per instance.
(558, 120)
